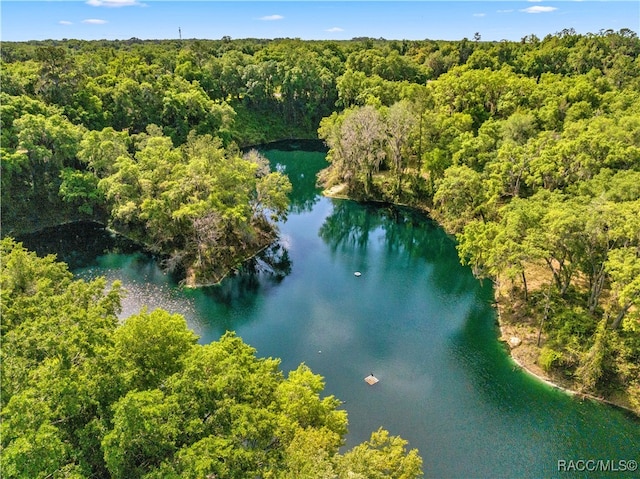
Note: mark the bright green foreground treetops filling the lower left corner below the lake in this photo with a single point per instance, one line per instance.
(87, 395)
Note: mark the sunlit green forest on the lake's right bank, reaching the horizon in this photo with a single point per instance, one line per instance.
(529, 154)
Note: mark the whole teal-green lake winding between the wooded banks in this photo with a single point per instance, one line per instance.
(415, 318)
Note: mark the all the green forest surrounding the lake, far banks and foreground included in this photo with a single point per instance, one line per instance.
(528, 152)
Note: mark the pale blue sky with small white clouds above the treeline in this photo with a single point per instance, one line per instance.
(412, 20)
